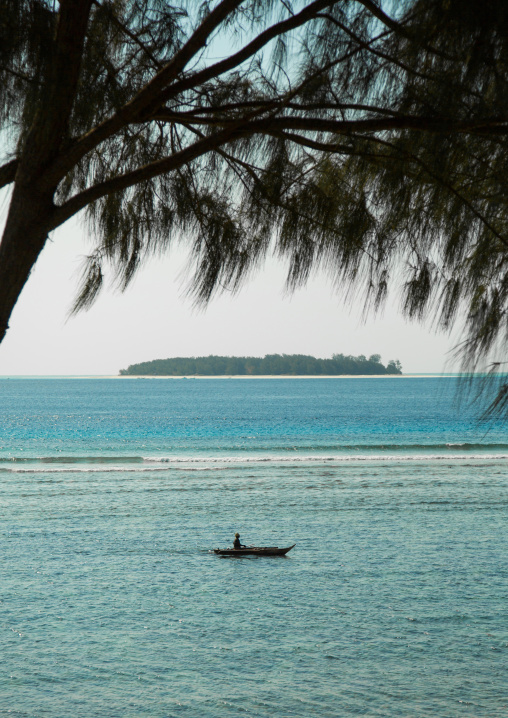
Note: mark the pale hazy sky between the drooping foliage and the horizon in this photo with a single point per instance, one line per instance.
(154, 319)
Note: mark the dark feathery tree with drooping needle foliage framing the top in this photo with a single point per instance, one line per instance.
(363, 136)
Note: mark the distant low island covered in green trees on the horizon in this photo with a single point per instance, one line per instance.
(270, 365)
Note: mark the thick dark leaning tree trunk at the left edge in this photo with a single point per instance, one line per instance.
(31, 207)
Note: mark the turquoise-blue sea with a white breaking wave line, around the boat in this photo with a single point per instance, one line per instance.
(394, 601)
